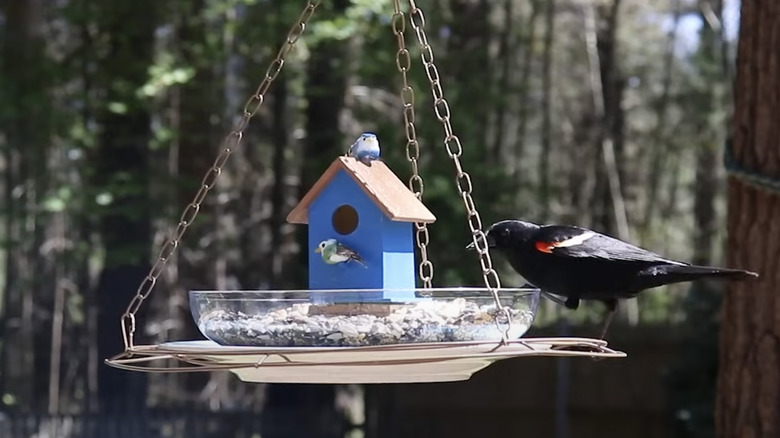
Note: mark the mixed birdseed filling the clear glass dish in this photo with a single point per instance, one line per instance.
(300, 325)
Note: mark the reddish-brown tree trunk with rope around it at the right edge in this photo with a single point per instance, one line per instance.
(748, 401)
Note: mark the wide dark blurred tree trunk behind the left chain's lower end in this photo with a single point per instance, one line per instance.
(122, 167)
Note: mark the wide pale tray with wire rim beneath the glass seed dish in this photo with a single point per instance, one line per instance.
(400, 363)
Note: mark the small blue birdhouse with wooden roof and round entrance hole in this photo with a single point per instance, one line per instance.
(366, 208)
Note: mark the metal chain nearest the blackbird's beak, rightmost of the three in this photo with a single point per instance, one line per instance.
(454, 149)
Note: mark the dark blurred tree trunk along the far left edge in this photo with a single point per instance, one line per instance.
(25, 82)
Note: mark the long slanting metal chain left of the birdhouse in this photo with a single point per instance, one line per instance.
(230, 142)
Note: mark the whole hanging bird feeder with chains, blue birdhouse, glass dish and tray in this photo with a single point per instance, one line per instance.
(362, 320)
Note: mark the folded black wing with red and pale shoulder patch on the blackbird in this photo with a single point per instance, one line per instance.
(578, 242)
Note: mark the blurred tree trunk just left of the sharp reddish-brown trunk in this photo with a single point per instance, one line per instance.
(692, 395)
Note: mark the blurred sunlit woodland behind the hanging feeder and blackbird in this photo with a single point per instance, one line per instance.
(610, 114)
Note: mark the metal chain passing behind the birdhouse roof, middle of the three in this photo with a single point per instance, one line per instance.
(403, 62)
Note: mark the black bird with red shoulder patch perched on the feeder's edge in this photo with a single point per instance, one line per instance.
(581, 264)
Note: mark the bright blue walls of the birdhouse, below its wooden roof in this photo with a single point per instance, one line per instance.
(386, 246)
